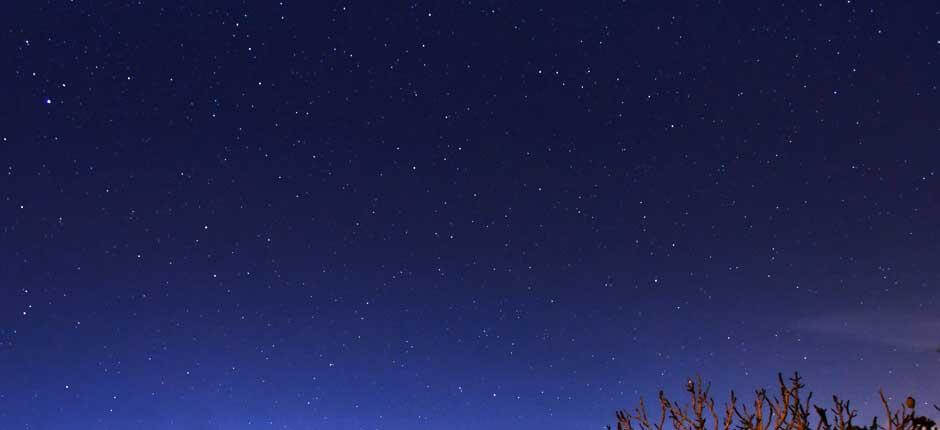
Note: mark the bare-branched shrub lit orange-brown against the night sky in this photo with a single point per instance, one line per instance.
(784, 411)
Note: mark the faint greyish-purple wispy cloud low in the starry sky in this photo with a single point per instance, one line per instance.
(902, 330)
